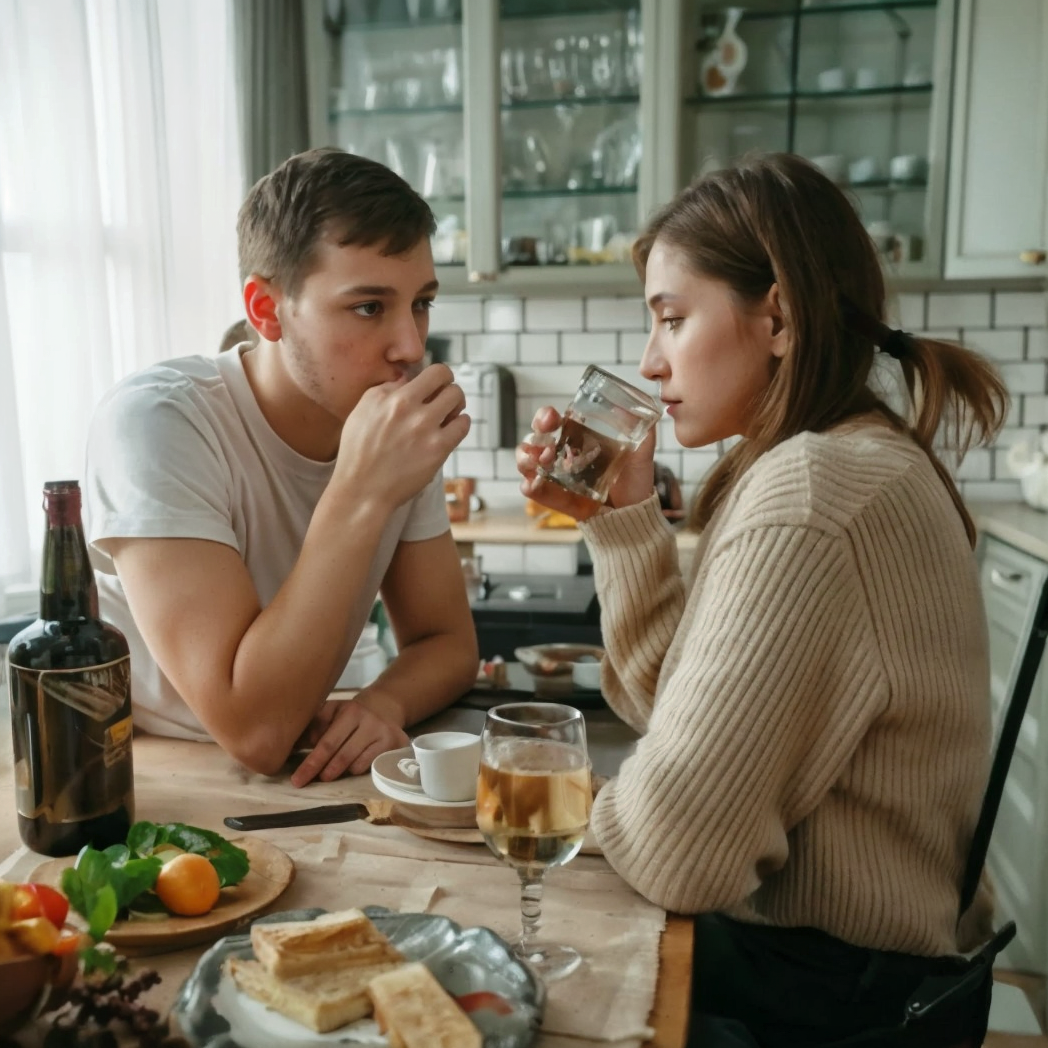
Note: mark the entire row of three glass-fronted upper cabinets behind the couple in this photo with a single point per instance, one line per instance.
(544, 133)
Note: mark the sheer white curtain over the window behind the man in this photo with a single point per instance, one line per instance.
(120, 184)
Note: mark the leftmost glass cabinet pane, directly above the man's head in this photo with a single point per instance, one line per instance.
(390, 78)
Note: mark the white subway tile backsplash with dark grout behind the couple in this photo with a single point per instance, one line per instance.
(547, 343)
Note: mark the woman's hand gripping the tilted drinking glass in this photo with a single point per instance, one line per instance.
(635, 485)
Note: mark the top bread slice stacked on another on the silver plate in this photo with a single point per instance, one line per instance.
(338, 941)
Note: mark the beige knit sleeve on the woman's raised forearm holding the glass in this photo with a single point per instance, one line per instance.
(642, 597)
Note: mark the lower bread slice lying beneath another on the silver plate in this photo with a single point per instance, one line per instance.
(322, 1001)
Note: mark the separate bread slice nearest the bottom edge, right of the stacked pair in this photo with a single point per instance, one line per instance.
(416, 1012)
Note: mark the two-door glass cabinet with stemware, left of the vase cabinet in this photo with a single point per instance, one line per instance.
(520, 122)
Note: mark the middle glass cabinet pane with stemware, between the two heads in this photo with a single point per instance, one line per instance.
(570, 88)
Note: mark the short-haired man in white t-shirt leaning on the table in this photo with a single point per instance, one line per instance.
(245, 510)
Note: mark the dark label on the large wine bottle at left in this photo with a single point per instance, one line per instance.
(72, 736)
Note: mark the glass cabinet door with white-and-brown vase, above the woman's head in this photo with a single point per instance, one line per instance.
(858, 86)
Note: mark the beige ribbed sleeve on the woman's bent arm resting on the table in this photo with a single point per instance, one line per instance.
(778, 681)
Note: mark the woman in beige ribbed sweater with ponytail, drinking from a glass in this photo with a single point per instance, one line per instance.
(814, 698)
